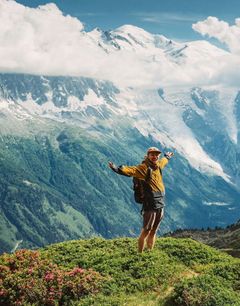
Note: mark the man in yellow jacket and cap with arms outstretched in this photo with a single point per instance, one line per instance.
(150, 172)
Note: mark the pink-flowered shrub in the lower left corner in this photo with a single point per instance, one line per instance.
(27, 278)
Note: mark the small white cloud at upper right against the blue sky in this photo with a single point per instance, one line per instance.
(221, 30)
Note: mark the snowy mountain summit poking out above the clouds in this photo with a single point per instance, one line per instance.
(134, 39)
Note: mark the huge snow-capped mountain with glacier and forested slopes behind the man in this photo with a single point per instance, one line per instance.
(60, 131)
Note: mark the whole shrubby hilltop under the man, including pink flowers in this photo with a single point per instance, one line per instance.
(110, 272)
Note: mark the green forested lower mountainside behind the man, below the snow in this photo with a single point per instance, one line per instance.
(55, 185)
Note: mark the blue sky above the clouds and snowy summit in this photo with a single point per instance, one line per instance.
(172, 18)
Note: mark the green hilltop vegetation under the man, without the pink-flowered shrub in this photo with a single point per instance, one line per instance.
(175, 272)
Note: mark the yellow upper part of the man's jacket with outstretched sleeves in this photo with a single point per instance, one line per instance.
(140, 172)
